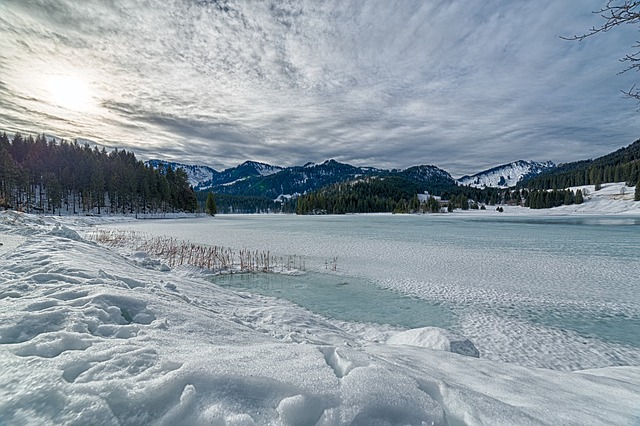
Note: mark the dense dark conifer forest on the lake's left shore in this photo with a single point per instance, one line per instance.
(40, 175)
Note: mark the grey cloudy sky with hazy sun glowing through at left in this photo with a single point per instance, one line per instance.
(464, 85)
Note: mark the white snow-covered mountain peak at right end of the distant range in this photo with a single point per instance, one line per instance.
(506, 175)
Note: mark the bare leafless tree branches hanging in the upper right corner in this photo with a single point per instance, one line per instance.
(615, 13)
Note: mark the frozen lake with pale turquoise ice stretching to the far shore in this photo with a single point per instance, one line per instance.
(555, 292)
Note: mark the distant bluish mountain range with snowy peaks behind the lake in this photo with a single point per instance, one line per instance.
(253, 178)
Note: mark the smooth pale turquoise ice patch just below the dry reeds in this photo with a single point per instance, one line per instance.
(344, 298)
